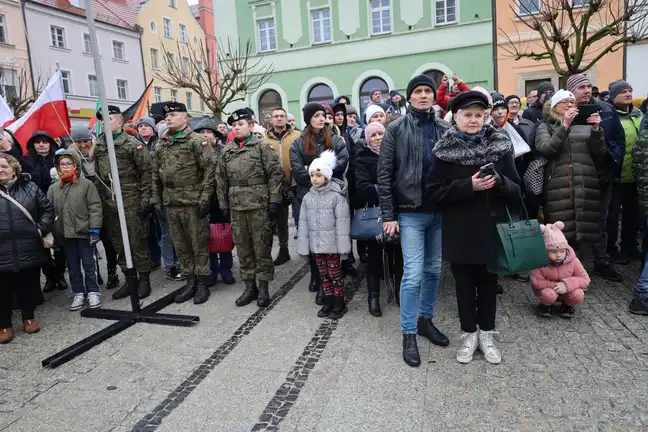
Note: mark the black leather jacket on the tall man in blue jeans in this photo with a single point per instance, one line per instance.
(400, 166)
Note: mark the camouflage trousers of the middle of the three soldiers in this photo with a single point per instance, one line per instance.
(190, 237)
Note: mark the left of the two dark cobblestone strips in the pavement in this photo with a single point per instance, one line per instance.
(151, 421)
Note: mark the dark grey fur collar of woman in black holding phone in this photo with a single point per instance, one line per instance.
(490, 145)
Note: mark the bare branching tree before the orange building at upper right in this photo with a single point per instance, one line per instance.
(570, 31)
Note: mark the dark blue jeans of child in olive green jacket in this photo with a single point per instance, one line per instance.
(79, 253)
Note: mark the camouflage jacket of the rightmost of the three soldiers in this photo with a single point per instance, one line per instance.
(249, 177)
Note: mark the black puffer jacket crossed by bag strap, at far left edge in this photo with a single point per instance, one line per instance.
(21, 246)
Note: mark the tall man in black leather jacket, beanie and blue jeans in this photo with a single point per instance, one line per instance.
(405, 158)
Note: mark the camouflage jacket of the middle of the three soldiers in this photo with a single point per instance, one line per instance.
(183, 173)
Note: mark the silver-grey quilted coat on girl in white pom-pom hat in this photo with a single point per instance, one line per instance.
(324, 221)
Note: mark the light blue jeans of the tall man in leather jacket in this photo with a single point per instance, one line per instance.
(421, 243)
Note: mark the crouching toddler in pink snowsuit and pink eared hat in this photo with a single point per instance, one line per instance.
(563, 279)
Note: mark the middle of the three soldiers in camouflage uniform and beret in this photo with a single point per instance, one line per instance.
(183, 182)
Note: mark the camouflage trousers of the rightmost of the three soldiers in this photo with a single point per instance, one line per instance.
(252, 232)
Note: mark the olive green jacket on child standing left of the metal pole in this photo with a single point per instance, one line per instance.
(77, 208)
